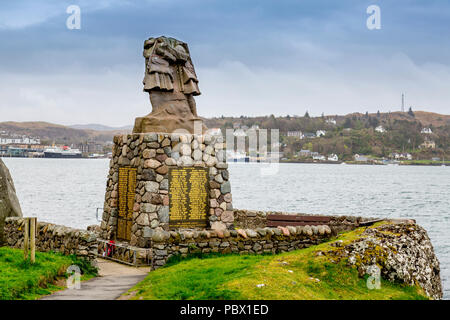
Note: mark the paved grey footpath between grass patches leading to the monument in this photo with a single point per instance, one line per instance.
(114, 279)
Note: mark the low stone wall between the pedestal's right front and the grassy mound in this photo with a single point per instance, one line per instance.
(241, 241)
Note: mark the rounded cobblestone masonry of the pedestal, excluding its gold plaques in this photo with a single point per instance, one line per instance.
(153, 154)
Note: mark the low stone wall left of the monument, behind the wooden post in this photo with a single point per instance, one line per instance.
(51, 237)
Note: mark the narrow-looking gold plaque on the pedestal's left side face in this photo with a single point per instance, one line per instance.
(127, 190)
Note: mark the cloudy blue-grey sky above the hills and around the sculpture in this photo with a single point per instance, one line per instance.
(252, 57)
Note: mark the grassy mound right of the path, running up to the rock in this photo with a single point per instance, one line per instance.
(297, 275)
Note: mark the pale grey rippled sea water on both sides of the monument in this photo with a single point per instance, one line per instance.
(69, 191)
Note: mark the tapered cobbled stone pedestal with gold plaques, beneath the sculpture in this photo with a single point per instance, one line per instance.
(157, 178)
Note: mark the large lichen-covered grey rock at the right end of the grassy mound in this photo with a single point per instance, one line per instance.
(401, 252)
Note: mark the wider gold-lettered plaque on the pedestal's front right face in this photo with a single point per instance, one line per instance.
(188, 195)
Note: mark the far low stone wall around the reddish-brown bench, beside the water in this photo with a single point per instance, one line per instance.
(251, 219)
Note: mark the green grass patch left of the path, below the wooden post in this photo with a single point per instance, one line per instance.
(19, 279)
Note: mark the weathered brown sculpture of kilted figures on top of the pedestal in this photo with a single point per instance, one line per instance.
(172, 83)
